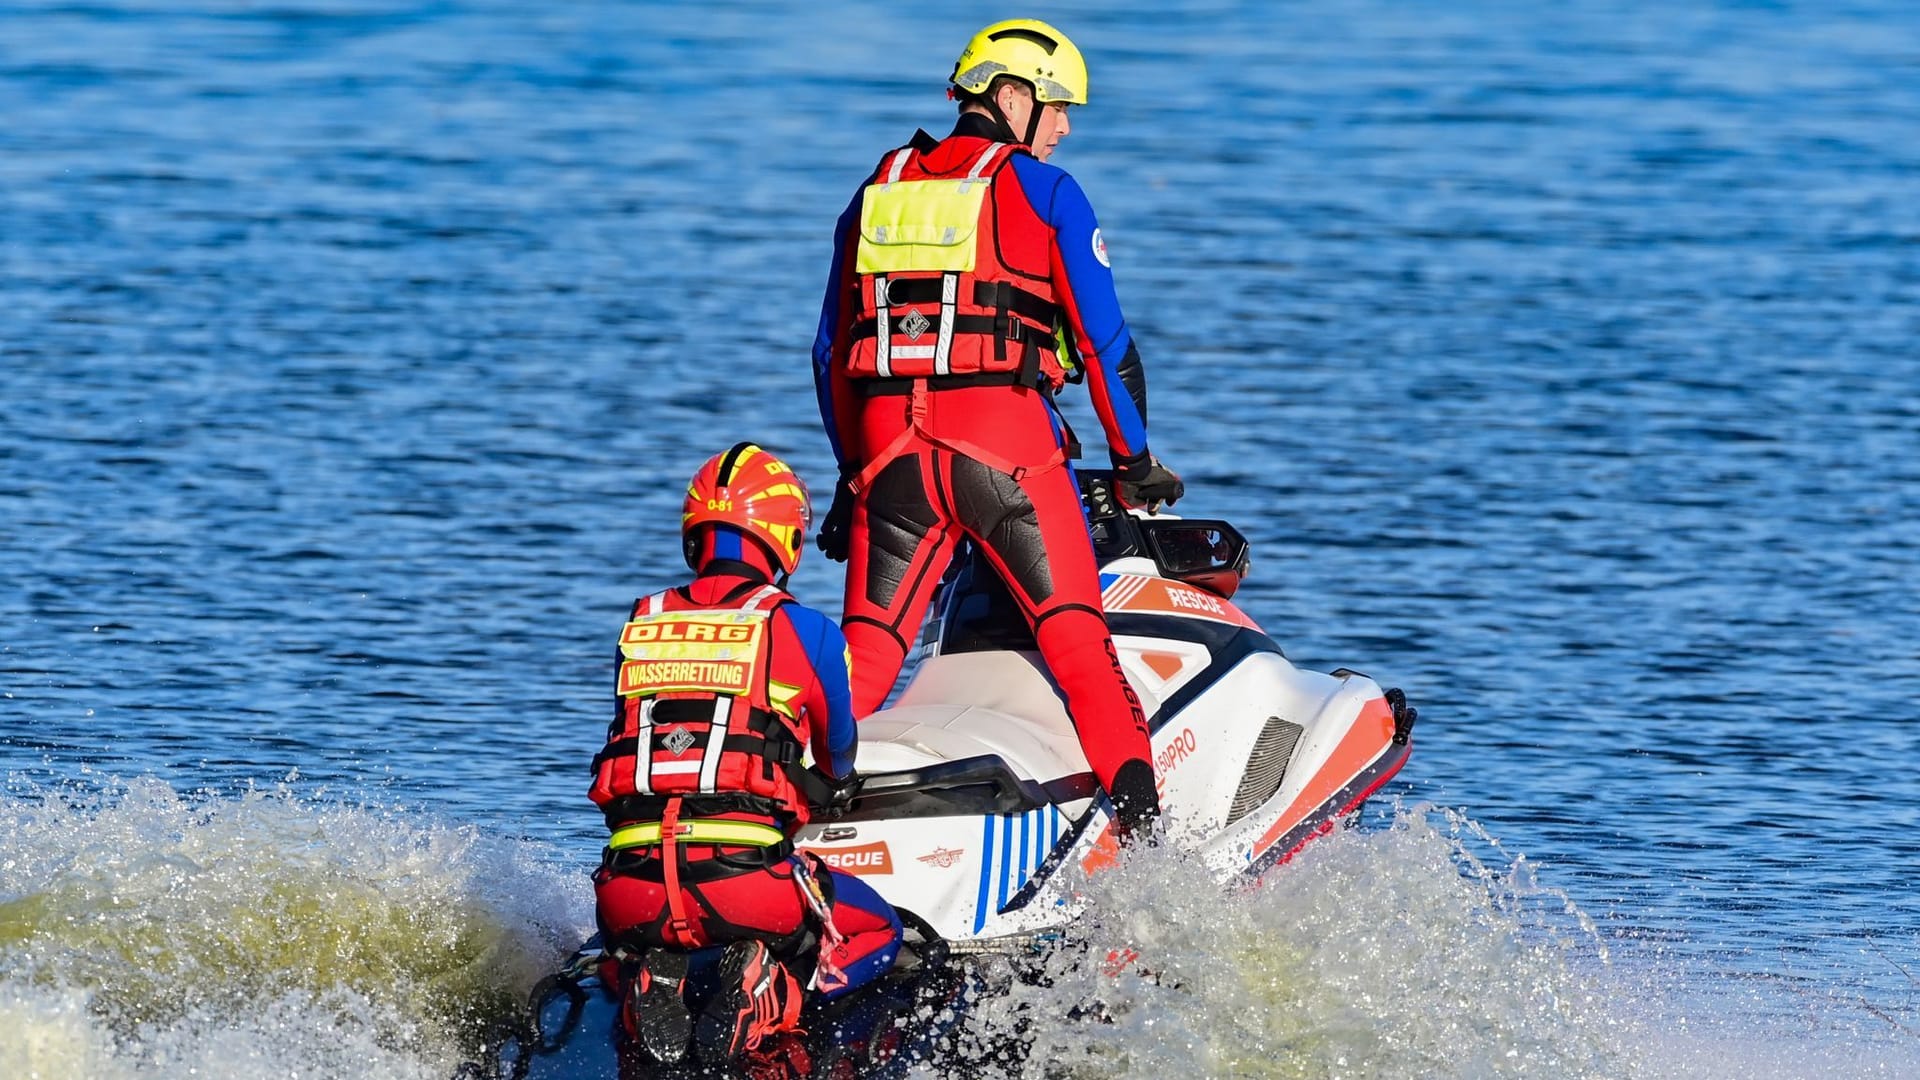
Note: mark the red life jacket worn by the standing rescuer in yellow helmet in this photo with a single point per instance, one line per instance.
(953, 272)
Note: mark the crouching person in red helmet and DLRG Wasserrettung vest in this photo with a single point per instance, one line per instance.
(723, 685)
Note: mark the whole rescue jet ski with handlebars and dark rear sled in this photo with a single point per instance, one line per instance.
(976, 795)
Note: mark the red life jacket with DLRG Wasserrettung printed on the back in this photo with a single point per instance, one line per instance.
(694, 714)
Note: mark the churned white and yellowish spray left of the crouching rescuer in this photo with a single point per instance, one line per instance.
(155, 935)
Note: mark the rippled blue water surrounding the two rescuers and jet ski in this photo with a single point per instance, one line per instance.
(1558, 360)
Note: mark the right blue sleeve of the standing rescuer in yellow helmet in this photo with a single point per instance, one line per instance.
(1090, 303)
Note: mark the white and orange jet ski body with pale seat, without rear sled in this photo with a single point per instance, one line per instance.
(978, 791)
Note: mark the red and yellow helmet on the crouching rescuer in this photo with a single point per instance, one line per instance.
(757, 495)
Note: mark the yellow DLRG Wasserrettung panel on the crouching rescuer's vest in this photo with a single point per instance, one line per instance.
(708, 652)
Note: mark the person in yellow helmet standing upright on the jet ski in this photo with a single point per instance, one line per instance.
(969, 285)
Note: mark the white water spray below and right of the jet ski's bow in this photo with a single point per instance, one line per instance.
(1414, 950)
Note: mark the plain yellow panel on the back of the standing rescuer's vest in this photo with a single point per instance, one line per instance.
(921, 226)
